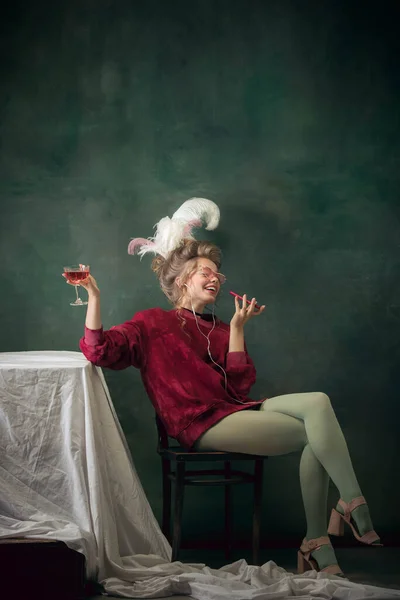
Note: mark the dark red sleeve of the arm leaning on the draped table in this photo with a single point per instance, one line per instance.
(117, 348)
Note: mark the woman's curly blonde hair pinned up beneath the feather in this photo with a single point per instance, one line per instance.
(182, 262)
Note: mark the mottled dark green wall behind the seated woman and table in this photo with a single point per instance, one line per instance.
(287, 115)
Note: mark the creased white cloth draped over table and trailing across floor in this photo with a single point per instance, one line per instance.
(66, 473)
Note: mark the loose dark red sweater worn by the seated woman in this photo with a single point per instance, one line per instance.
(187, 390)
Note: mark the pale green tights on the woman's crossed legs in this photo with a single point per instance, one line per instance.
(287, 424)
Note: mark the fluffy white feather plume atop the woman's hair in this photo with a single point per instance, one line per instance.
(171, 231)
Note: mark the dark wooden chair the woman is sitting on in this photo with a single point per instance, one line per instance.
(173, 461)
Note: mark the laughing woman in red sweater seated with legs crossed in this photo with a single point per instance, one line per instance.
(198, 374)
